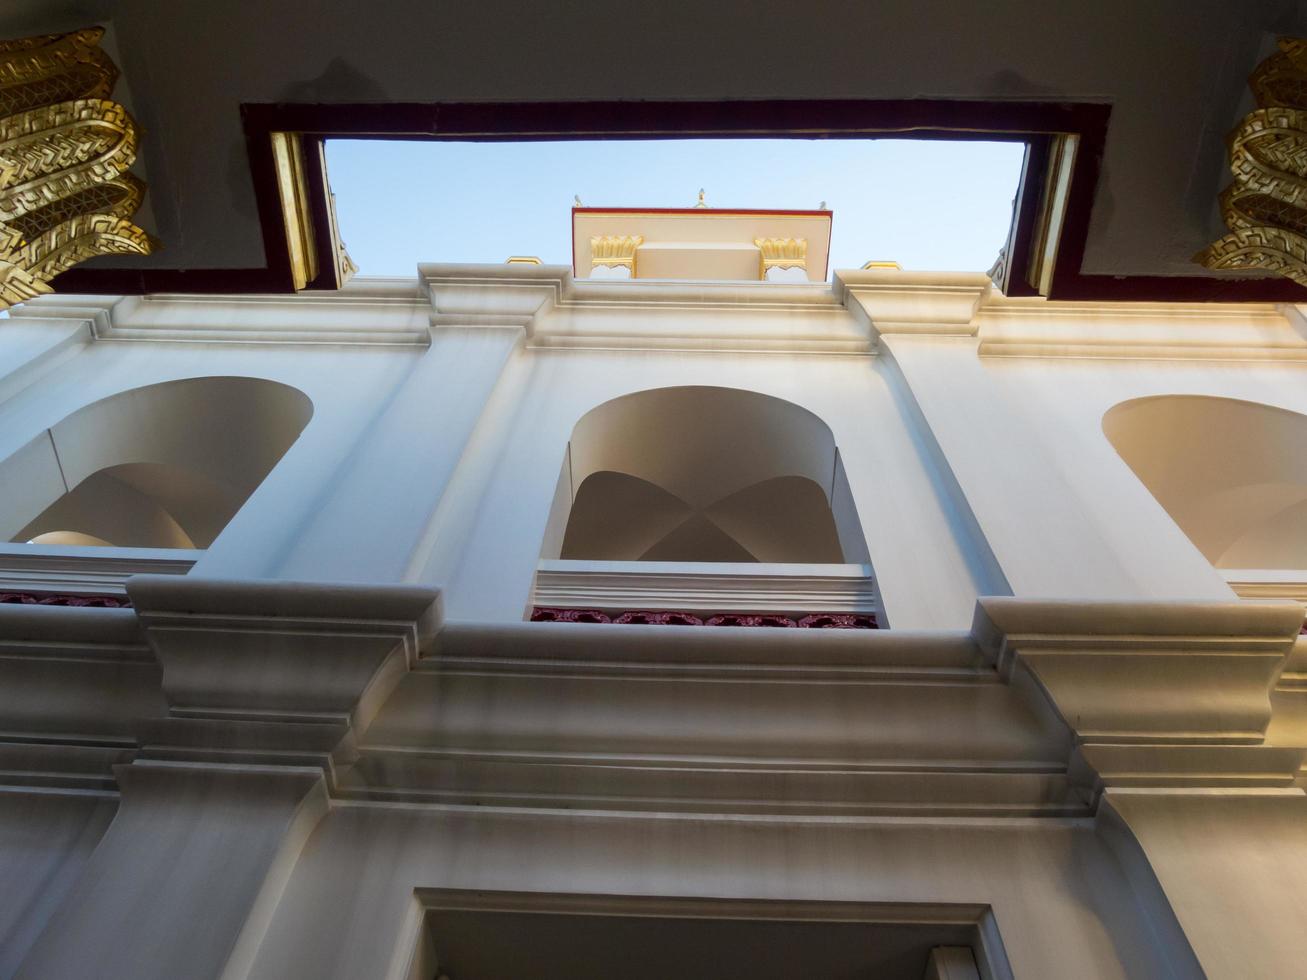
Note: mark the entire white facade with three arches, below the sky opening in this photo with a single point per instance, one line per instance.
(310, 728)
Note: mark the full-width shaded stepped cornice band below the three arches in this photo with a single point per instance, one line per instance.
(1037, 713)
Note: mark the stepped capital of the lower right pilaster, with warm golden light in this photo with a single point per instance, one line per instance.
(1157, 694)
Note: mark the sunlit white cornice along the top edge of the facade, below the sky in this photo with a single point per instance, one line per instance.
(556, 310)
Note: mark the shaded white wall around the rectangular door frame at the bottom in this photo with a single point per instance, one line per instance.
(1061, 900)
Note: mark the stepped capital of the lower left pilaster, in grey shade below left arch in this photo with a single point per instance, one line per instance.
(275, 672)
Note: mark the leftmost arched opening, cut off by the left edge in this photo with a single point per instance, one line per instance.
(165, 466)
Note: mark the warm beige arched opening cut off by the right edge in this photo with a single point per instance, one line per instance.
(1233, 475)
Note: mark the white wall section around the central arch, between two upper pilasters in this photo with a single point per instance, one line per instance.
(489, 543)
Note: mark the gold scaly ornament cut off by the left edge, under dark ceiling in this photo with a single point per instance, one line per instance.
(66, 195)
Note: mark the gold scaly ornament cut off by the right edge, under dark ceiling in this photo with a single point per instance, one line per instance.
(1266, 208)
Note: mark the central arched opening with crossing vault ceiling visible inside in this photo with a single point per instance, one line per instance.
(704, 475)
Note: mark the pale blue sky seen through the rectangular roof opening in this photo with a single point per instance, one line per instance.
(926, 204)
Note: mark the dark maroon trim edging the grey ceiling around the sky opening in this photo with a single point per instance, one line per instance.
(922, 120)
